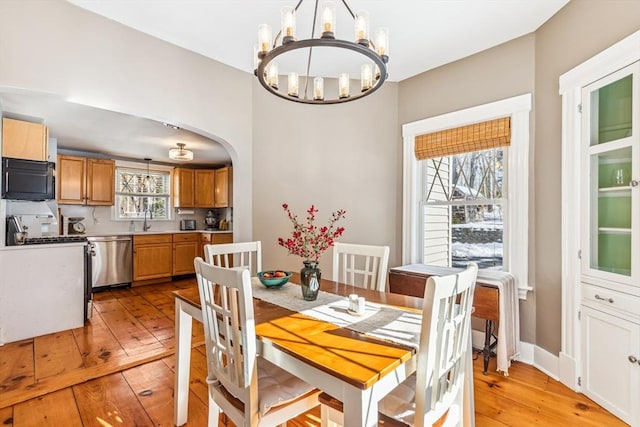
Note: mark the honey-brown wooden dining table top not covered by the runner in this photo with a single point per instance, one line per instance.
(358, 359)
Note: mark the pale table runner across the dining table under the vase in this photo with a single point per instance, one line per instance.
(379, 321)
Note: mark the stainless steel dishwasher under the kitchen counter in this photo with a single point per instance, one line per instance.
(112, 263)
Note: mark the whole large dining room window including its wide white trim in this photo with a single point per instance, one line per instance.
(500, 200)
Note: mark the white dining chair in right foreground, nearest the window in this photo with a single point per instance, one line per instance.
(436, 391)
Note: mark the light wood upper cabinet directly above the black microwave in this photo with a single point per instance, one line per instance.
(24, 140)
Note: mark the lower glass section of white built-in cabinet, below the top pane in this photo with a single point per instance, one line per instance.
(611, 211)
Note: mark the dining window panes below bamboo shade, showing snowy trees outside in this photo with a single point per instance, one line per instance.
(463, 209)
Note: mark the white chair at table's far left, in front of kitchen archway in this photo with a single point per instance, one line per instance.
(237, 254)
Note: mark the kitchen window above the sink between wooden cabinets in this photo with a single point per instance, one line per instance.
(139, 191)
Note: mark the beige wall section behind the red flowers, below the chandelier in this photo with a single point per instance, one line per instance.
(343, 156)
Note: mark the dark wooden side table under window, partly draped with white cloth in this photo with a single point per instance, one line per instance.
(485, 302)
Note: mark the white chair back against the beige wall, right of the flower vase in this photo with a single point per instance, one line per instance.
(364, 266)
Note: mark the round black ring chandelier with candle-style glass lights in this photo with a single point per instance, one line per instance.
(324, 65)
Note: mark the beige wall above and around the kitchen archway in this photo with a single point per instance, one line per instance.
(53, 47)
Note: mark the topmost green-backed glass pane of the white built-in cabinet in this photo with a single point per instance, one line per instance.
(611, 111)
